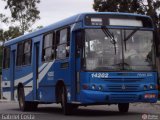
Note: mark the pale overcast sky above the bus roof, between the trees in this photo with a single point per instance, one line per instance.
(55, 10)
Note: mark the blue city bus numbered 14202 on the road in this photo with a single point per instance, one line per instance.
(87, 59)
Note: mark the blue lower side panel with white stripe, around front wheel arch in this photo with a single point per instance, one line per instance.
(48, 79)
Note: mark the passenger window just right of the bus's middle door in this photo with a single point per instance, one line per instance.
(48, 47)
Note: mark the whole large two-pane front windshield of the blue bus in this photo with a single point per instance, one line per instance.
(118, 49)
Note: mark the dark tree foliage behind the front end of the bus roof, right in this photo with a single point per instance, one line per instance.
(146, 7)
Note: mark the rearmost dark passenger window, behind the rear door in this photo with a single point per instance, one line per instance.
(6, 58)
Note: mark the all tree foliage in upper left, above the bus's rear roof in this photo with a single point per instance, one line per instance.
(24, 14)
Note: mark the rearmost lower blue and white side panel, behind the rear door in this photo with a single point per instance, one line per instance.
(6, 84)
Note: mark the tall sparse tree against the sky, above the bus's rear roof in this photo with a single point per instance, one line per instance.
(24, 12)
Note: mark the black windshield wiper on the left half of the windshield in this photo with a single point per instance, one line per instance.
(110, 35)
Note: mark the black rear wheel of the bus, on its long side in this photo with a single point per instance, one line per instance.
(25, 105)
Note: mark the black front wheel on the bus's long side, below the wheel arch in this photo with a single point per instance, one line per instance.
(66, 107)
